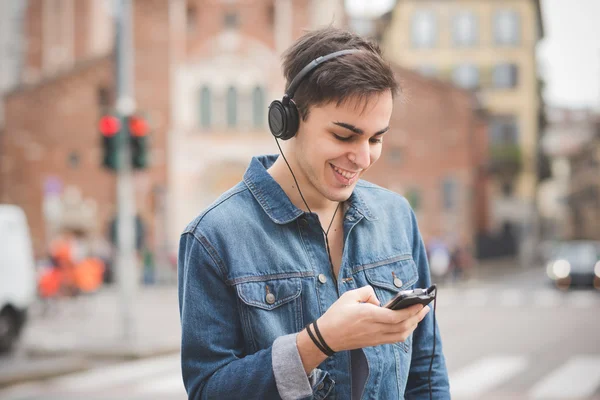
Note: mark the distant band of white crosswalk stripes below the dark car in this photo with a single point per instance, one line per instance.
(546, 297)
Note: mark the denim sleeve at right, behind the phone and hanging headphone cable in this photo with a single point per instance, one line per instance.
(417, 386)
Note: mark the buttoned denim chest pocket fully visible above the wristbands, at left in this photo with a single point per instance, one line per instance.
(270, 308)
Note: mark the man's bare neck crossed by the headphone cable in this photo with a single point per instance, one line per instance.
(316, 201)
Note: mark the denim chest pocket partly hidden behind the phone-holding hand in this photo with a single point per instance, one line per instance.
(388, 277)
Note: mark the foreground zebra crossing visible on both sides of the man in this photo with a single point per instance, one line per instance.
(488, 377)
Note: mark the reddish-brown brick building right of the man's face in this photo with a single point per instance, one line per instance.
(436, 156)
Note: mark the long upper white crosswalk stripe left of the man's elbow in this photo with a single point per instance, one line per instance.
(118, 374)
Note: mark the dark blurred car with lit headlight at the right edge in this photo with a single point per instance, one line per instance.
(574, 263)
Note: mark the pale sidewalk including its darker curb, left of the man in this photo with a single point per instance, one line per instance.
(74, 334)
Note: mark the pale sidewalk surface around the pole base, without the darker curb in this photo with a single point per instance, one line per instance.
(92, 326)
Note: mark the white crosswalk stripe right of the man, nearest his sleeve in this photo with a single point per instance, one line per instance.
(485, 374)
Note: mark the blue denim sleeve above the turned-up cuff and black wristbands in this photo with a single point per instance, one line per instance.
(213, 362)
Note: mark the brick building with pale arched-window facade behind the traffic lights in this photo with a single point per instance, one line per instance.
(223, 55)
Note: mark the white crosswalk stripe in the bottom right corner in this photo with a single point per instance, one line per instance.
(578, 378)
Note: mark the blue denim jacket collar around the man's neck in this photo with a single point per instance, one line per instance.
(276, 203)
